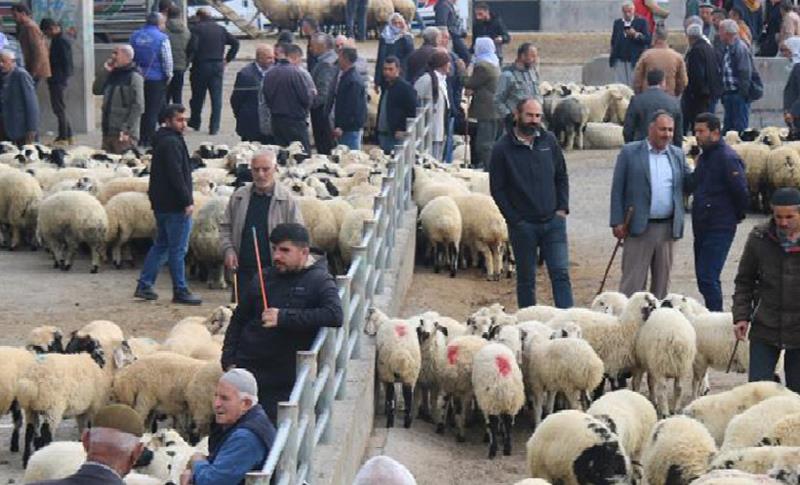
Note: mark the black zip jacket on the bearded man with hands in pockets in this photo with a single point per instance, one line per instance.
(529, 183)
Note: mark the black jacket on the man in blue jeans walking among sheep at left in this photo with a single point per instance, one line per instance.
(170, 174)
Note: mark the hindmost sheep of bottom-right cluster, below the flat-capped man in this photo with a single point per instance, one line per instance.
(716, 411)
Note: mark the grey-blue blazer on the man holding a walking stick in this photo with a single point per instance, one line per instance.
(631, 187)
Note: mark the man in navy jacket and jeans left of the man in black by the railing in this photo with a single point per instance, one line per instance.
(350, 108)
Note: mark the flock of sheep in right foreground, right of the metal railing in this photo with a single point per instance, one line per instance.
(497, 362)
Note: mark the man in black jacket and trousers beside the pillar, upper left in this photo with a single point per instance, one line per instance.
(62, 68)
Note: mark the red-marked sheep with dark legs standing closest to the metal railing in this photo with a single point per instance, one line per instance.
(399, 360)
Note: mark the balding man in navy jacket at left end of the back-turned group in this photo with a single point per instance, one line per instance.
(246, 96)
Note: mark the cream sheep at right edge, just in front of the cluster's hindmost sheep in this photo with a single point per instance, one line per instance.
(749, 427)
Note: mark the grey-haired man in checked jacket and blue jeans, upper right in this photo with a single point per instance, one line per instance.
(737, 72)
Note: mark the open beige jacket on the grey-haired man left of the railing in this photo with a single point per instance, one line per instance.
(282, 208)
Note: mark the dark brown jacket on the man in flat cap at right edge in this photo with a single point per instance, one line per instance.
(768, 288)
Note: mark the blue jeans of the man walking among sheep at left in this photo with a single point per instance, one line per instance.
(171, 244)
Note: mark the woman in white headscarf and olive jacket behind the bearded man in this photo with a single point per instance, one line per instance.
(483, 84)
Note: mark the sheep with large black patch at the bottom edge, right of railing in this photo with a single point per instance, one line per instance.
(572, 448)
